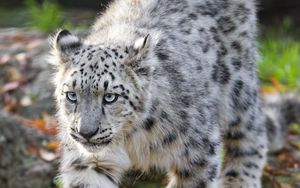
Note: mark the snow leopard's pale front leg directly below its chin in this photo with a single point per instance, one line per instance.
(101, 170)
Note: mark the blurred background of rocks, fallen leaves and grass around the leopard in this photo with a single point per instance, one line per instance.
(29, 152)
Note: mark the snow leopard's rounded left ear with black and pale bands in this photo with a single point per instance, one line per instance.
(64, 43)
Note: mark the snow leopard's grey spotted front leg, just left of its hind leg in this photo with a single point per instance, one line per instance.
(199, 164)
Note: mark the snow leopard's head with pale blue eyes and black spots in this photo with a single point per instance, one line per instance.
(99, 89)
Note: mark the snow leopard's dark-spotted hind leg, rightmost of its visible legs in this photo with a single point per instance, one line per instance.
(245, 149)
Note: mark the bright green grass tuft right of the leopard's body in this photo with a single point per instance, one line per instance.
(280, 56)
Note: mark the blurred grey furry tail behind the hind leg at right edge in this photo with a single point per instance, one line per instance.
(281, 111)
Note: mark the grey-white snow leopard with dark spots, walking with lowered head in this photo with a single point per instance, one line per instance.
(163, 84)
